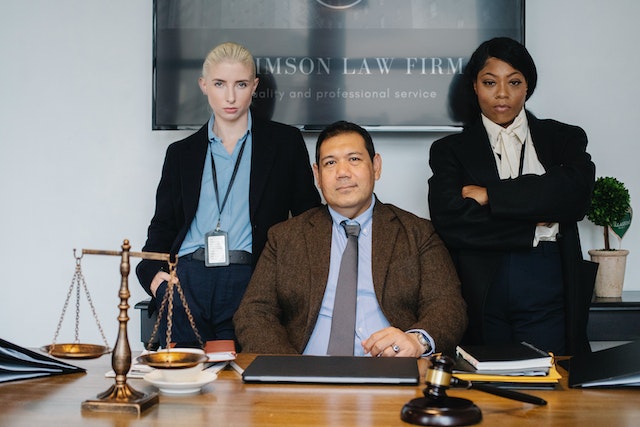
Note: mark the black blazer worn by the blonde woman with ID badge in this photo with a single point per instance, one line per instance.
(281, 183)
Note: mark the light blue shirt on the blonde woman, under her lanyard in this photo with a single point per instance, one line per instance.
(235, 219)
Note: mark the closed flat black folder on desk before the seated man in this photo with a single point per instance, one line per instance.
(332, 370)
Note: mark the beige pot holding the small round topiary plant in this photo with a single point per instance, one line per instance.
(610, 277)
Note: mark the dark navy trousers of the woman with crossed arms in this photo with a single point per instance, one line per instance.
(526, 301)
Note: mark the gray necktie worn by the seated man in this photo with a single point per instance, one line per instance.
(343, 323)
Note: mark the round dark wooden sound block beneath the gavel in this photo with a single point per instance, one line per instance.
(449, 411)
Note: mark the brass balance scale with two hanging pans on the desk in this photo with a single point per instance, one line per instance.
(121, 397)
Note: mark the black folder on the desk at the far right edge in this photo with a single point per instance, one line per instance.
(613, 367)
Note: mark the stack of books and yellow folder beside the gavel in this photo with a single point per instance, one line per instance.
(518, 365)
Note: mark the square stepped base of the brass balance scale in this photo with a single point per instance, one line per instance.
(121, 398)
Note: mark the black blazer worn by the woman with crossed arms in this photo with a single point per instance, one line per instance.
(477, 236)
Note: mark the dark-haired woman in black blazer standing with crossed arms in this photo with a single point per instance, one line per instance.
(505, 196)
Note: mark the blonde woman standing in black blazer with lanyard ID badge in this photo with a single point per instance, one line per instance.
(216, 201)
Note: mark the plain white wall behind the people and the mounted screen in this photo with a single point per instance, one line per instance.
(79, 163)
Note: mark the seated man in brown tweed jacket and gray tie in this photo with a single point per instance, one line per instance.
(407, 302)
